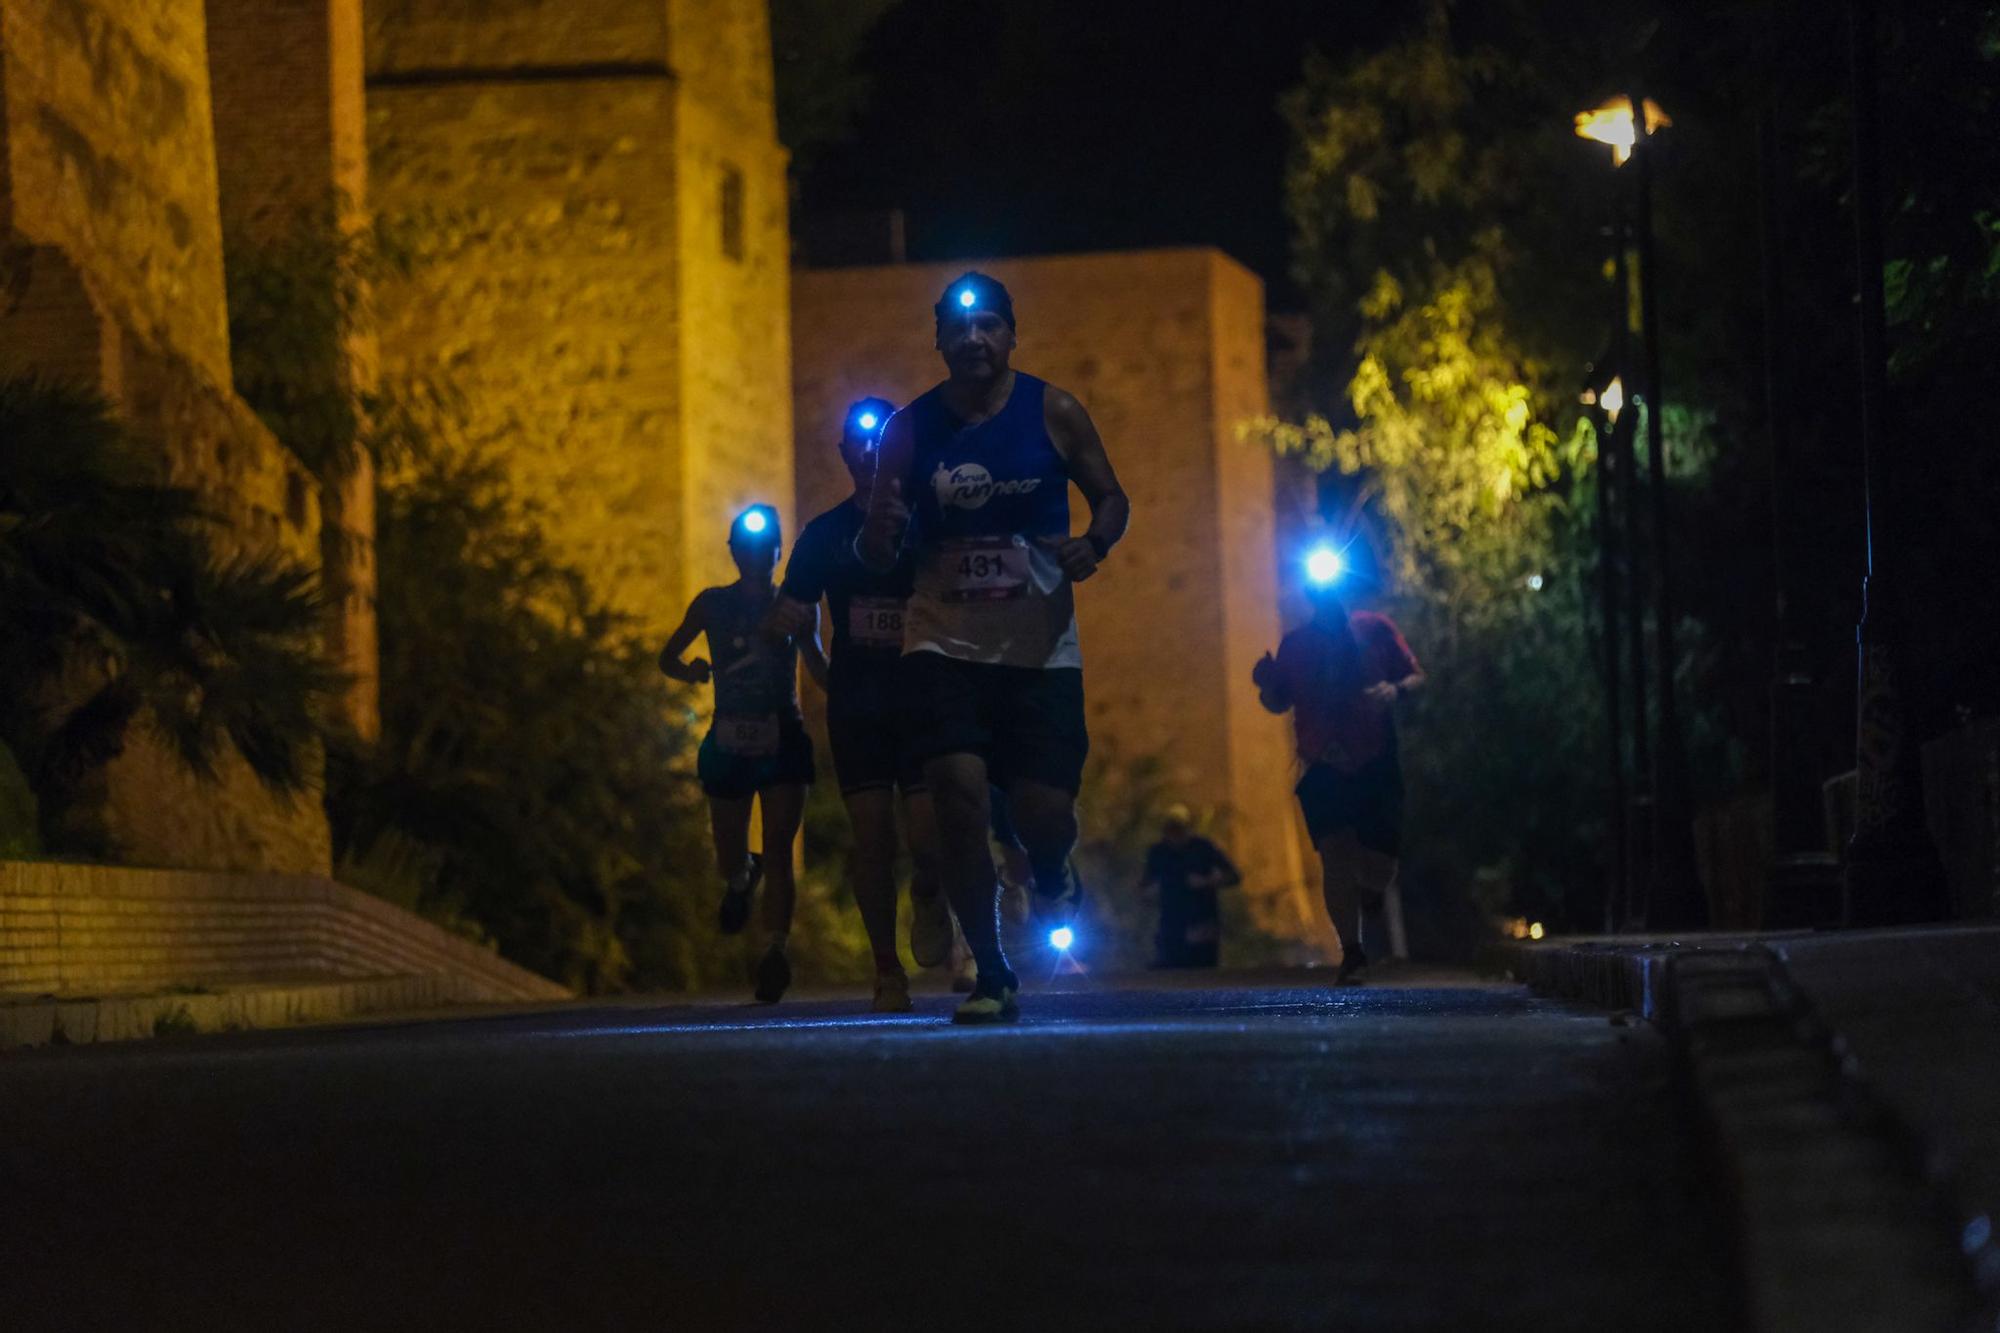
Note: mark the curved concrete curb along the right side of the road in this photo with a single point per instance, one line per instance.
(1837, 1222)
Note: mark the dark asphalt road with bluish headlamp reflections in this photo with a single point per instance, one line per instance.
(1241, 1154)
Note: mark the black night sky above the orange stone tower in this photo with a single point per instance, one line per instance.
(1047, 125)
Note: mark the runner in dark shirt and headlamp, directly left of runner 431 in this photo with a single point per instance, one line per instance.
(865, 716)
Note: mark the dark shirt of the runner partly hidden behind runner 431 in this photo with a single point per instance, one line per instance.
(865, 607)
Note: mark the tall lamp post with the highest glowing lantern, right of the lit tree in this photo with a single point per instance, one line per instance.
(1673, 892)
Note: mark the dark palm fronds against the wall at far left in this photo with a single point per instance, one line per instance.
(117, 613)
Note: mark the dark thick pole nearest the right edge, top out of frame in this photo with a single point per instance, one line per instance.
(1893, 866)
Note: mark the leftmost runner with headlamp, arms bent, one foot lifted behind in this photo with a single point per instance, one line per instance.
(757, 748)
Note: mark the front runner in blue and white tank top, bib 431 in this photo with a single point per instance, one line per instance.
(975, 479)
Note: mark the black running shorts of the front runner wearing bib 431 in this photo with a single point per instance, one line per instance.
(1023, 722)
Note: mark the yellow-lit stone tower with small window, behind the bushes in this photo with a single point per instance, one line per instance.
(597, 203)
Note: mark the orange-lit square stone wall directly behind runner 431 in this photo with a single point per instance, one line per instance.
(1167, 353)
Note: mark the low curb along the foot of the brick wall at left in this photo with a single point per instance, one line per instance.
(51, 1020)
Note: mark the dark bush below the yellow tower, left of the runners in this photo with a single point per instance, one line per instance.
(533, 780)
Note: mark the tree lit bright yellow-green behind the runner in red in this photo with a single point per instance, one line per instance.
(1449, 451)
